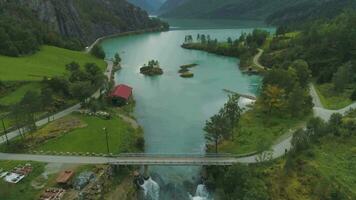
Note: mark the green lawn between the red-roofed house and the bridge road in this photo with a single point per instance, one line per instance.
(91, 138)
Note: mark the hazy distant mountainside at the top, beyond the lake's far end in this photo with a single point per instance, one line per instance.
(288, 10)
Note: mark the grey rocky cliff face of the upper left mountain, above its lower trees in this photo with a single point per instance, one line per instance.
(87, 20)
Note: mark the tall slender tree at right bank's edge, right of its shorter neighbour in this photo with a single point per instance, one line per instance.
(232, 112)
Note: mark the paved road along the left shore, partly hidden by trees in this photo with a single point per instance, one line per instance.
(58, 115)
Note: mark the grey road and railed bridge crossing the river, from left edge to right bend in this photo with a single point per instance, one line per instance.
(276, 151)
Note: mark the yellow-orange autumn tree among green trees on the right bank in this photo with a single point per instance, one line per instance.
(272, 98)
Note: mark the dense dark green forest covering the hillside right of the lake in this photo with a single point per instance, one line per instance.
(328, 46)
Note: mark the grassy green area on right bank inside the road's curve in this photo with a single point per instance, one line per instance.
(253, 127)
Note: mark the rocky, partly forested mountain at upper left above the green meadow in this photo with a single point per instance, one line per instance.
(26, 24)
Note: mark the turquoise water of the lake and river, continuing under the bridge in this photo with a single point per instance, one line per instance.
(173, 110)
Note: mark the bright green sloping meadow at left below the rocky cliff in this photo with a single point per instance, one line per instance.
(49, 61)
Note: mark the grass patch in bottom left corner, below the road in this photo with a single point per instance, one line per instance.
(22, 190)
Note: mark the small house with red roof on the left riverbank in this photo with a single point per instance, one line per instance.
(121, 95)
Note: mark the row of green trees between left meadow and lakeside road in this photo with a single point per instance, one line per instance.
(80, 84)
